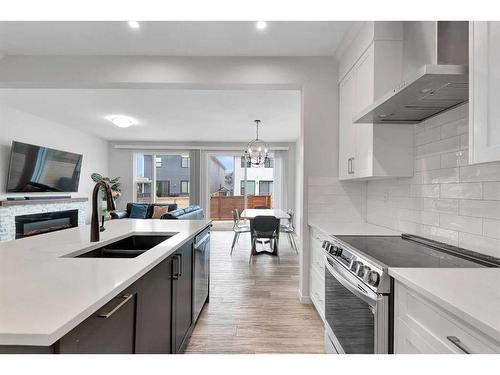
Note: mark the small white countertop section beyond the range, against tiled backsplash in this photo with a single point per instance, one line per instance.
(337, 228)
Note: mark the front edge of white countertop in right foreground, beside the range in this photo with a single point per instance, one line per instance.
(485, 328)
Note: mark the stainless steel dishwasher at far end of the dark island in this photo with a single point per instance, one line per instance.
(201, 276)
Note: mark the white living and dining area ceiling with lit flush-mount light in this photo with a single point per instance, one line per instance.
(167, 115)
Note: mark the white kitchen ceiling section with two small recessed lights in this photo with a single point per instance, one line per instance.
(171, 38)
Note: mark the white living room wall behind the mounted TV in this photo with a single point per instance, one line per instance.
(23, 127)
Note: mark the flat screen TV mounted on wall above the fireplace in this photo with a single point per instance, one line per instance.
(36, 169)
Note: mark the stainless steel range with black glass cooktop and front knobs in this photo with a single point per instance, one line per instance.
(358, 288)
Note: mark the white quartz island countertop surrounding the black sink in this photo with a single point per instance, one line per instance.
(43, 294)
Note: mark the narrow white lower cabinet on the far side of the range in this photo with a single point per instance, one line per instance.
(317, 272)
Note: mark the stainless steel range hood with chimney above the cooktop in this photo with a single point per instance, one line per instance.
(433, 88)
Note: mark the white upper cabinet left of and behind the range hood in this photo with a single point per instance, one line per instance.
(370, 67)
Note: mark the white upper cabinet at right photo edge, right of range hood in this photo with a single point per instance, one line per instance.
(484, 92)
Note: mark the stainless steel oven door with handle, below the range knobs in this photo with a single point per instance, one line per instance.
(356, 317)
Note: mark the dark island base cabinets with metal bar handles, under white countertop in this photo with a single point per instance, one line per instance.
(153, 315)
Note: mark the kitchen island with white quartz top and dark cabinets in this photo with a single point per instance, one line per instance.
(47, 292)
